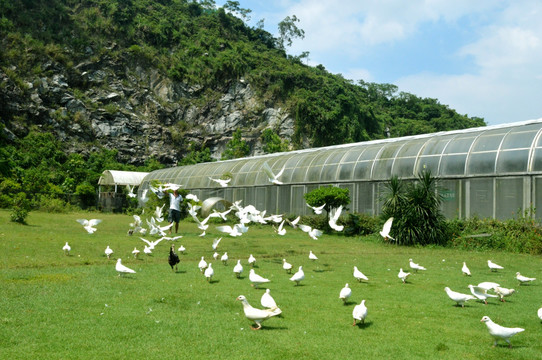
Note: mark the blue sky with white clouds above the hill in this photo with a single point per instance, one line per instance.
(480, 57)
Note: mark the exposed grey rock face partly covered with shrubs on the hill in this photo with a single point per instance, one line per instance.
(135, 110)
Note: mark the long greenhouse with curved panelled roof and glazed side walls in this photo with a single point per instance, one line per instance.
(493, 171)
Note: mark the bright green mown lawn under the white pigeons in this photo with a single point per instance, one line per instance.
(65, 307)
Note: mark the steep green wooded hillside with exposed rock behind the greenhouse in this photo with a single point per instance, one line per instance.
(169, 82)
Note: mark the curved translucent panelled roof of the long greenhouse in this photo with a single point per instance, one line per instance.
(493, 150)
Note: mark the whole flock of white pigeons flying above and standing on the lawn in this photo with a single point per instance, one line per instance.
(249, 214)
